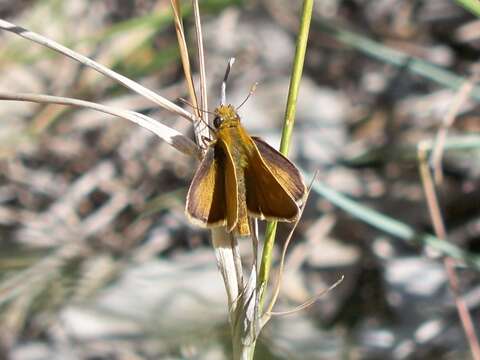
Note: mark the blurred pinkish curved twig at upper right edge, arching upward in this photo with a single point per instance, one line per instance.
(461, 96)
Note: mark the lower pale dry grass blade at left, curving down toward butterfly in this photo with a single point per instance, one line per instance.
(169, 135)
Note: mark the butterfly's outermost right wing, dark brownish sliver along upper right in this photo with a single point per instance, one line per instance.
(284, 171)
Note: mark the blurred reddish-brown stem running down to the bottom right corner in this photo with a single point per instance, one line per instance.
(449, 263)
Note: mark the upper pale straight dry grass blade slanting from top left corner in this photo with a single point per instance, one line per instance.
(147, 93)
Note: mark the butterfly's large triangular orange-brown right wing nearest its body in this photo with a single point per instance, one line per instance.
(266, 198)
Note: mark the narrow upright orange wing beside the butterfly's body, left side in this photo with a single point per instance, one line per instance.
(231, 186)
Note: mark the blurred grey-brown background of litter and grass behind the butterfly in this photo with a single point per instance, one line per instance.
(98, 260)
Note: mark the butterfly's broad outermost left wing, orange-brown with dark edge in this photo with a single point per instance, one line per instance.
(206, 204)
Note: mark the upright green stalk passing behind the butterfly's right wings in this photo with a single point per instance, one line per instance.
(286, 137)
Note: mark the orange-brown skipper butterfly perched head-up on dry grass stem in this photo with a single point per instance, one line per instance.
(241, 176)
